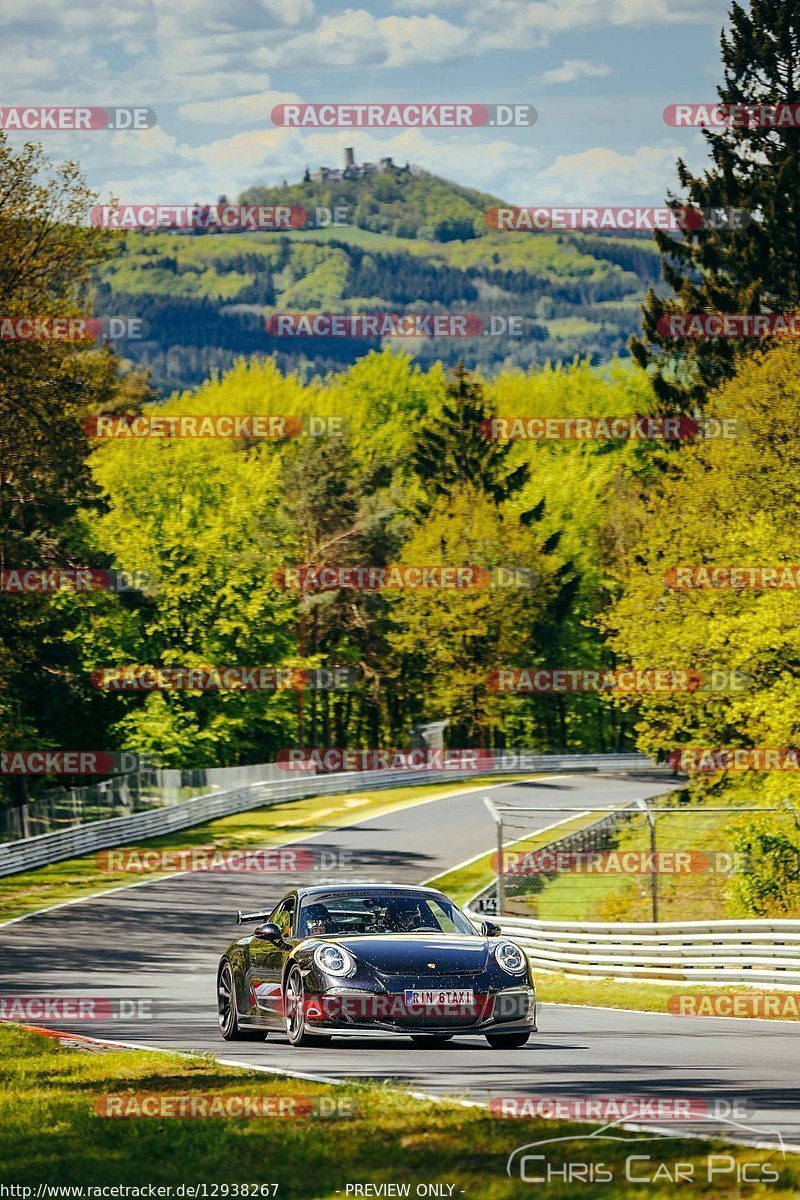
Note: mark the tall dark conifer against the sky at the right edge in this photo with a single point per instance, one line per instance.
(757, 170)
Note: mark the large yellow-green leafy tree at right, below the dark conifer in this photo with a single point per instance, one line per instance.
(732, 502)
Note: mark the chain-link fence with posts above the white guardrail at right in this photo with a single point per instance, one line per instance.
(646, 862)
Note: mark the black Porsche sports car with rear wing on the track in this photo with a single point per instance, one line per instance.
(375, 958)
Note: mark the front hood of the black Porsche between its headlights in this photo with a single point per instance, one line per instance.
(414, 953)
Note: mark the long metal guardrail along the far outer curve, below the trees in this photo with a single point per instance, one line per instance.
(86, 839)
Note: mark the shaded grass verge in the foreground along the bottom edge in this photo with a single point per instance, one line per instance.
(53, 1135)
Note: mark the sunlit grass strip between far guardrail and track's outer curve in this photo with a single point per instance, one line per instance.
(32, 891)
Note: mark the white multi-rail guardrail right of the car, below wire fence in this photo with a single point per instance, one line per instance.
(744, 952)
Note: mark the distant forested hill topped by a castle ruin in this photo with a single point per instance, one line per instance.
(414, 243)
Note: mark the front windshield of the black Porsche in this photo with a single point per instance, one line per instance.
(381, 914)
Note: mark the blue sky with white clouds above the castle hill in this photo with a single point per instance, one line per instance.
(599, 73)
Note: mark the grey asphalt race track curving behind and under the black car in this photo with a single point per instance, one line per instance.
(161, 943)
